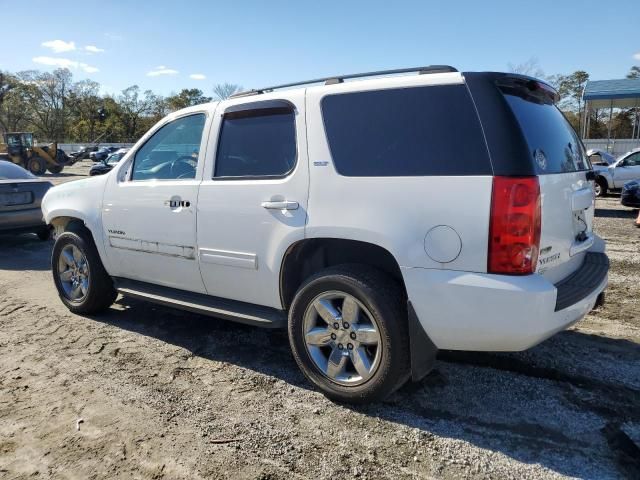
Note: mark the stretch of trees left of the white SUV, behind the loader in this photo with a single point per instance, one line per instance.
(56, 108)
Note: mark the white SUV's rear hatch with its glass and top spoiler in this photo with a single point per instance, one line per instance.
(559, 160)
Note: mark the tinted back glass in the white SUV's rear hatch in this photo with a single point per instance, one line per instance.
(553, 144)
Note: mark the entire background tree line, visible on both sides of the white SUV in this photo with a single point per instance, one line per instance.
(57, 108)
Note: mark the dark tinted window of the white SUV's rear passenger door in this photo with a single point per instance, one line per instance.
(257, 143)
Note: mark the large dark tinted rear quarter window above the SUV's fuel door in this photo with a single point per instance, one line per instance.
(416, 131)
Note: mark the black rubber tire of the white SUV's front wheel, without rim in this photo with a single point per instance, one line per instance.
(100, 292)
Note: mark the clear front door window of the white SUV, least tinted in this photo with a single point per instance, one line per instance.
(172, 152)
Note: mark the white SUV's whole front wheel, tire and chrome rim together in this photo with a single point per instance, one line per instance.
(83, 284)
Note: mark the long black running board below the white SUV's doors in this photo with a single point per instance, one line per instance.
(234, 310)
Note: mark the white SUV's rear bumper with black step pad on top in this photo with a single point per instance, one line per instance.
(484, 312)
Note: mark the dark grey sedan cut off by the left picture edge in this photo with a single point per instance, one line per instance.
(20, 197)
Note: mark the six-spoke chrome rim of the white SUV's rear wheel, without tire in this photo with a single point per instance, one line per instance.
(342, 338)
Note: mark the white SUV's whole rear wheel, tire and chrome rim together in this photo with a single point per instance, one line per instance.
(348, 333)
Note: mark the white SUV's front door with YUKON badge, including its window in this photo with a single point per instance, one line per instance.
(149, 208)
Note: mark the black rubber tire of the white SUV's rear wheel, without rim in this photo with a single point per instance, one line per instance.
(385, 300)
